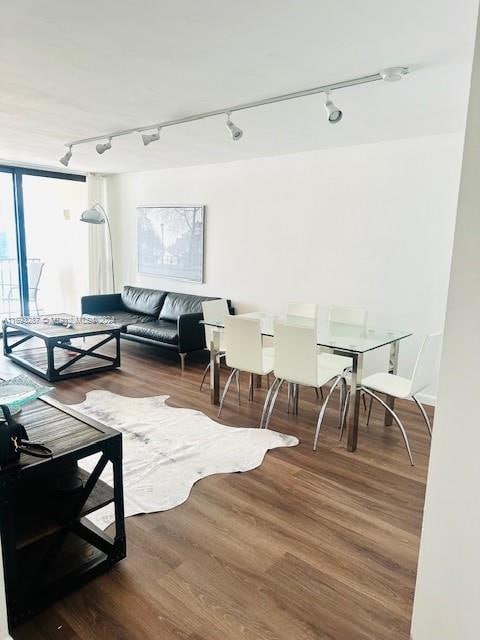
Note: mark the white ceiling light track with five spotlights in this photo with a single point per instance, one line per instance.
(389, 74)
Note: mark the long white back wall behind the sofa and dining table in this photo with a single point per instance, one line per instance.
(368, 226)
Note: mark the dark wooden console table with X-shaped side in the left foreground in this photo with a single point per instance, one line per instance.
(49, 545)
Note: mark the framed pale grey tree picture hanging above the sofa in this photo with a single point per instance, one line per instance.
(170, 241)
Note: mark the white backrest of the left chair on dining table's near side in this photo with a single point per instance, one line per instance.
(243, 344)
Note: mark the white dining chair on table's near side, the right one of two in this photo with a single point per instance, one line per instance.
(297, 362)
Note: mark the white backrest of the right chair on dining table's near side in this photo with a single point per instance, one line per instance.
(295, 353)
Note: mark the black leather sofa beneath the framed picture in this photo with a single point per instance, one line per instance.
(161, 318)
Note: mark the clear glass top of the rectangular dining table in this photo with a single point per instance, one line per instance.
(333, 335)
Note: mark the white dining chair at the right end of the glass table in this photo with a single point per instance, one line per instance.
(399, 387)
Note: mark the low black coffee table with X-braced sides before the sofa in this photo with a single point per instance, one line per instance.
(55, 357)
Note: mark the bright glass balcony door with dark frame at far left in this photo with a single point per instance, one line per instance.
(43, 245)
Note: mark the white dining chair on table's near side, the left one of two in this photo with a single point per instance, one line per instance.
(244, 351)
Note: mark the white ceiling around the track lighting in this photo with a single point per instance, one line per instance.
(71, 70)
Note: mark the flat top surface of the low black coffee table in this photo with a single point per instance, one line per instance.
(44, 327)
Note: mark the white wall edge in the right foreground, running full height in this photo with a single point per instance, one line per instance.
(447, 595)
